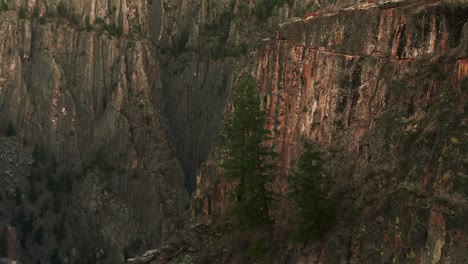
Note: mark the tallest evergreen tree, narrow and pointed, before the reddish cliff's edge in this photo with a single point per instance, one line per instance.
(249, 160)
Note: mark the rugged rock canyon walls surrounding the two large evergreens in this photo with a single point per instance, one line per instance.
(127, 101)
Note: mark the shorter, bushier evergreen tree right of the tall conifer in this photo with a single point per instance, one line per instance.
(308, 189)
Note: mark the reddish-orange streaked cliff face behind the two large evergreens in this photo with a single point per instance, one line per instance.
(383, 90)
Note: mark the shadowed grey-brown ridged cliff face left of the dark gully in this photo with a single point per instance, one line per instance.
(93, 103)
